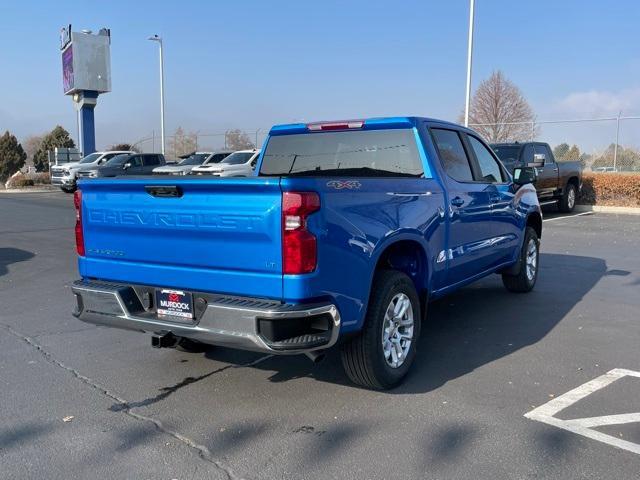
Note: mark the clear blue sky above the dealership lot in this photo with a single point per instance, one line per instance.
(250, 64)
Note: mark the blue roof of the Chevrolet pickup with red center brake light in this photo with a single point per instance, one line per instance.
(375, 123)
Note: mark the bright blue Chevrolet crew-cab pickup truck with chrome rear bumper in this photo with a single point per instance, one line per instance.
(344, 235)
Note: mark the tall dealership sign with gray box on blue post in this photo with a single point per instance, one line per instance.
(86, 73)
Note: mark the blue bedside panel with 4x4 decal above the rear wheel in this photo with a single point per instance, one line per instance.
(354, 226)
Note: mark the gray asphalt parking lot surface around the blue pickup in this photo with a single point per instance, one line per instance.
(79, 401)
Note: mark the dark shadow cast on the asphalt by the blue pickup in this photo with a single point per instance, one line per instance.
(474, 326)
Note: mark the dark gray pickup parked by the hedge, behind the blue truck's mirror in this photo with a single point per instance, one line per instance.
(558, 182)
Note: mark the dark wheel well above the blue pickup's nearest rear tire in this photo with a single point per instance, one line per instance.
(409, 257)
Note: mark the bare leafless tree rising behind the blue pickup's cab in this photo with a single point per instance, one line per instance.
(496, 105)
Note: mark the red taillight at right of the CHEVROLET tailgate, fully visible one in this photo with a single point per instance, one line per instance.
(299, 247)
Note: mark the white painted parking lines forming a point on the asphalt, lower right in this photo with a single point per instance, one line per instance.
(583, 426)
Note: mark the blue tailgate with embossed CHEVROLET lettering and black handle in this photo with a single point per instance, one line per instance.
(217, 235)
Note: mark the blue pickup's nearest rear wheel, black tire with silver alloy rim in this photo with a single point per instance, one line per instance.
(380, 357)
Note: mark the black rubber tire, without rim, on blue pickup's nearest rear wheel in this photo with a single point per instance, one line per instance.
(363, 357)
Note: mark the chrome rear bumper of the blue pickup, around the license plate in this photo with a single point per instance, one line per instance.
(237, 322)
